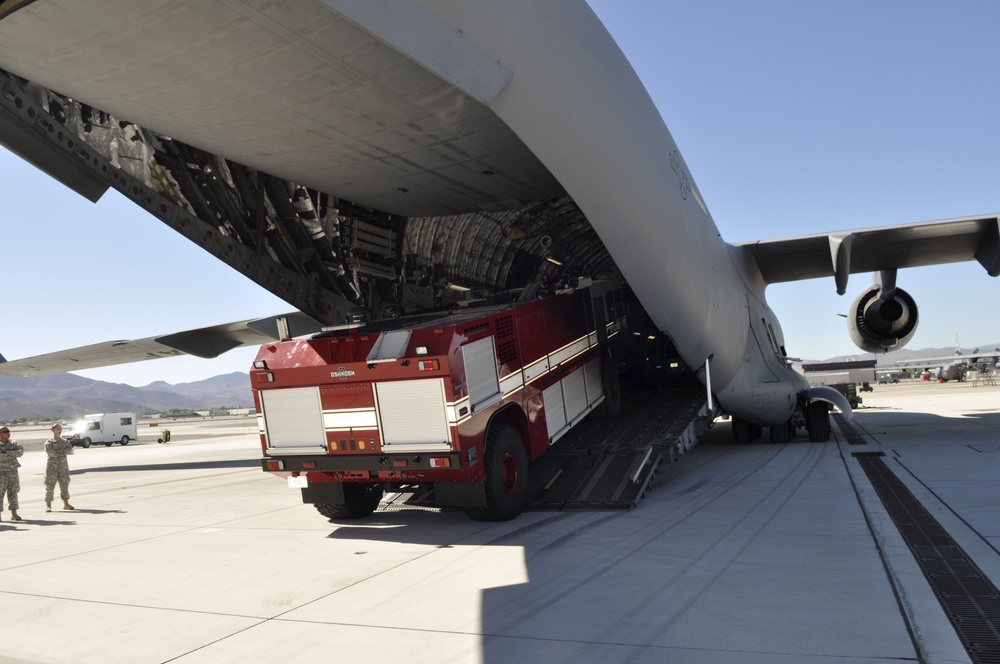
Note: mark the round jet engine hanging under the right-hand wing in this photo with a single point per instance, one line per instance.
(878, 323)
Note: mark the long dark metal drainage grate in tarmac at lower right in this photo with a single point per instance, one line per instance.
(968, 597)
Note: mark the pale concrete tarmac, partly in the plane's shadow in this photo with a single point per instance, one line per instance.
(757, 553)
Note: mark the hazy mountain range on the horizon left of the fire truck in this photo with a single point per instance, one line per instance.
(69, 395)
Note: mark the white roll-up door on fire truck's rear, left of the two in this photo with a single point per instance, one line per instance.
(293, 420)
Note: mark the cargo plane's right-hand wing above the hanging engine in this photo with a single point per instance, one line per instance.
(880, 248)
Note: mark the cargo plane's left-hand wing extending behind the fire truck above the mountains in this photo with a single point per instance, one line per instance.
(206, 342)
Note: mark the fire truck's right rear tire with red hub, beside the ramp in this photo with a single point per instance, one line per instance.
(506, 476)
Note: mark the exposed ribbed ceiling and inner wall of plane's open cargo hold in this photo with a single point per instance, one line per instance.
(329, 256)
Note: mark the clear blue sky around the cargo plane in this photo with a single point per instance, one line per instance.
(794, 118)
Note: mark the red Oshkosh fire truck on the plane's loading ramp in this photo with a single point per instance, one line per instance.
(459, 402)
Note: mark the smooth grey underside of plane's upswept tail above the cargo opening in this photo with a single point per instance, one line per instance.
(292, 89)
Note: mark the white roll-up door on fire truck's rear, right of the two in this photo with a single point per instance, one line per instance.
(412, 415)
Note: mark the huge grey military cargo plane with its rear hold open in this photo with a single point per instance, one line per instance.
(367, 159)
